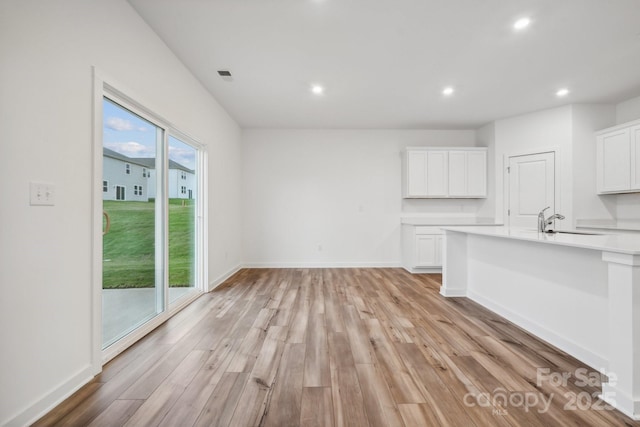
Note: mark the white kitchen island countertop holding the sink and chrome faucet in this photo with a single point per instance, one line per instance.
(621, 243)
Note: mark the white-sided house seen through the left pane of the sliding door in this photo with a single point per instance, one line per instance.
(124, 178)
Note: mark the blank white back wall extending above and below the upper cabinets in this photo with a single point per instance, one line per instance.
(332, 197)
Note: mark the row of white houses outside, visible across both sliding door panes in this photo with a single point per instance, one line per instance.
(134, 179)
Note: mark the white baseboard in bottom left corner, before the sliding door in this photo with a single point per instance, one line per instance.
(46, 403)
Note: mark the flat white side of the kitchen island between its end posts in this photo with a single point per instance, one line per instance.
(558, 293)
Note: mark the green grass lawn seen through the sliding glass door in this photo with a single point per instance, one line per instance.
(129, 249)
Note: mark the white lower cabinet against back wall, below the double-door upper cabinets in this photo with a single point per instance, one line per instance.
(422, 247)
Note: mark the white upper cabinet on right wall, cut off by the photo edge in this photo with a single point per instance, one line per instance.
(618, 159)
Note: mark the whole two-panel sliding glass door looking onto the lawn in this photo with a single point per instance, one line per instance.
(149, 200)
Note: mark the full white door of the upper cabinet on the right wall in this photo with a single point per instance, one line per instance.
(614, 162)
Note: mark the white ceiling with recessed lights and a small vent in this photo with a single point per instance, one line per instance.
(384, 63)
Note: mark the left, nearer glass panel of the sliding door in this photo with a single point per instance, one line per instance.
(132, 267)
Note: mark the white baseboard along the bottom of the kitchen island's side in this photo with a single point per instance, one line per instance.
(588, 357)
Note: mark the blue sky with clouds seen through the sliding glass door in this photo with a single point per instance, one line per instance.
(133, 136)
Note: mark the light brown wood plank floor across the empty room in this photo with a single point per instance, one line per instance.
(333, 347)
